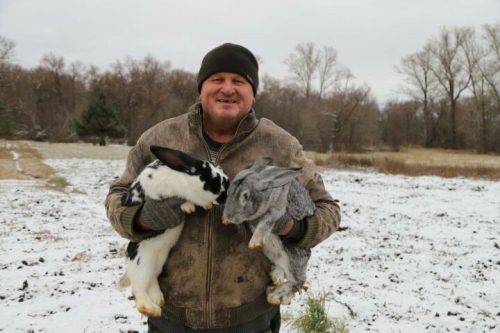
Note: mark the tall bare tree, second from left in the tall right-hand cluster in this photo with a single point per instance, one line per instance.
(450, 70)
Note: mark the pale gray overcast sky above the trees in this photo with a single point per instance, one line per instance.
(370, 36)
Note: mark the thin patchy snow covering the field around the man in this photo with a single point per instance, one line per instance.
(416, 255)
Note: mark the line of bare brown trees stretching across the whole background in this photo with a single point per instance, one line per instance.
(450, 96)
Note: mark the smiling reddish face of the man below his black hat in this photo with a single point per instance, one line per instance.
(226, 97)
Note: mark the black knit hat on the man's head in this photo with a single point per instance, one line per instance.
(230, 58)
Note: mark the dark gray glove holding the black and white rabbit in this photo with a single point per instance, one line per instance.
(162, 214)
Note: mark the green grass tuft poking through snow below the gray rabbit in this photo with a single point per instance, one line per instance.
(314, 318)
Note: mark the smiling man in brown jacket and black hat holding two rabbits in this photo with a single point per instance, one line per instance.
(212, 281)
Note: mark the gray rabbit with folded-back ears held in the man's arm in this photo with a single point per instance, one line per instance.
(265, 196)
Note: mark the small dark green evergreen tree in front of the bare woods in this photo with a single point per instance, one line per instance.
(100, 119)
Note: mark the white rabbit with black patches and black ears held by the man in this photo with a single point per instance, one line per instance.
(173, 174)
